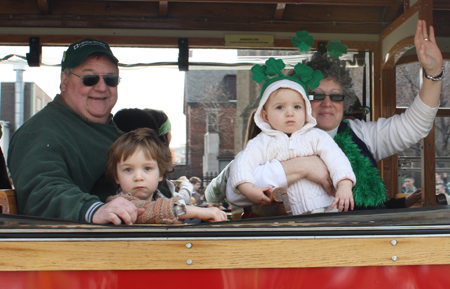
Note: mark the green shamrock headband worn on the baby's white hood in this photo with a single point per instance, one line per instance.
(304, 75)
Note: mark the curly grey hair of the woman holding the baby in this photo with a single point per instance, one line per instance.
(335, 69)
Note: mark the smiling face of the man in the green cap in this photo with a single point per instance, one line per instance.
(93, 102)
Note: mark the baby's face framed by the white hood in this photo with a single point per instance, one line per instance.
(285, 111)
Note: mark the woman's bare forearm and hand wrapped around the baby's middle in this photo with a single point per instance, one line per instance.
(312, 168)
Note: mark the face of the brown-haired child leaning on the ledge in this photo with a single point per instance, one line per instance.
(138, 175)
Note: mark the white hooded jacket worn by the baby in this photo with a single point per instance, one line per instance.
(304, 195)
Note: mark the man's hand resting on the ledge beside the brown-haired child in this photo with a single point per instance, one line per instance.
(115, 211)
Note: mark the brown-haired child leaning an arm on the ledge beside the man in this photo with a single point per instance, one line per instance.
(138, 161)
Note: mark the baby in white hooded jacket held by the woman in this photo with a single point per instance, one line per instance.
(284, 116)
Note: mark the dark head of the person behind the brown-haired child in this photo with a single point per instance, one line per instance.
(134, 118)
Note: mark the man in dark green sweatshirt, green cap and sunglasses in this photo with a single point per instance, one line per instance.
(57, 158)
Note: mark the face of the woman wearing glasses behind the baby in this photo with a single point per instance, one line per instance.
(328, 113)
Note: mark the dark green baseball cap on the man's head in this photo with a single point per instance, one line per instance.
(79, 51)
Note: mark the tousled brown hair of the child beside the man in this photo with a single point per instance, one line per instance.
(142, 138)
